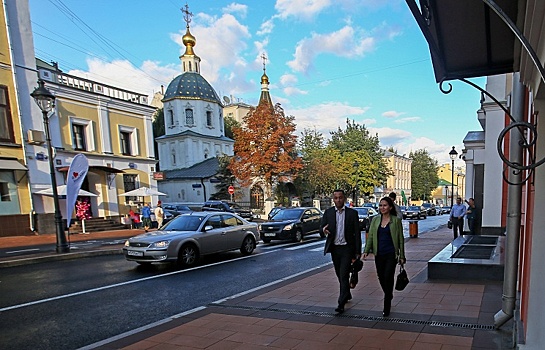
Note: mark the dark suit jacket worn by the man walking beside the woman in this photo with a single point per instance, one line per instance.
(352, 232)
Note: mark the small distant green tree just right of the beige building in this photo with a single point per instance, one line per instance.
(423, 174)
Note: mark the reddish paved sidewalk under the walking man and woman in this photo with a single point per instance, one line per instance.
(299, 314)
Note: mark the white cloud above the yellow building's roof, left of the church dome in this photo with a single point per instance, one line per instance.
(122, 74)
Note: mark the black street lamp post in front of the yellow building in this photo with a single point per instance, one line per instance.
(45, 100)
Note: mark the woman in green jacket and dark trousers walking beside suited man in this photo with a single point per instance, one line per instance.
(387, 243)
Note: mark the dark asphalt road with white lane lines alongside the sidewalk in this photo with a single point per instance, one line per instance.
(73, 303)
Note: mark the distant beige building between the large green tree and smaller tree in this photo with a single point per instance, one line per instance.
(400, 181)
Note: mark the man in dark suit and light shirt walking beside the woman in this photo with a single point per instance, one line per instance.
(340, 224)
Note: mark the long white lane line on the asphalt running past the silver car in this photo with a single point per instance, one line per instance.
(36, 302)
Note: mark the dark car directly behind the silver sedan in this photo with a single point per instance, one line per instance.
(292, 224)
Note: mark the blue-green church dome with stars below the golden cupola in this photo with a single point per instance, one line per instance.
(191, 85)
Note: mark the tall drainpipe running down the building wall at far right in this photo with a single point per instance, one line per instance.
(514, 195)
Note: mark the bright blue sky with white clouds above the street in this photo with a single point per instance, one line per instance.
(328, 60)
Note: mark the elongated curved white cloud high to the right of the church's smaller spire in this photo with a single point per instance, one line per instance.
(346, 42)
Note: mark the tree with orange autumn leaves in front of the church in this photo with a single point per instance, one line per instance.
(265, 147)
